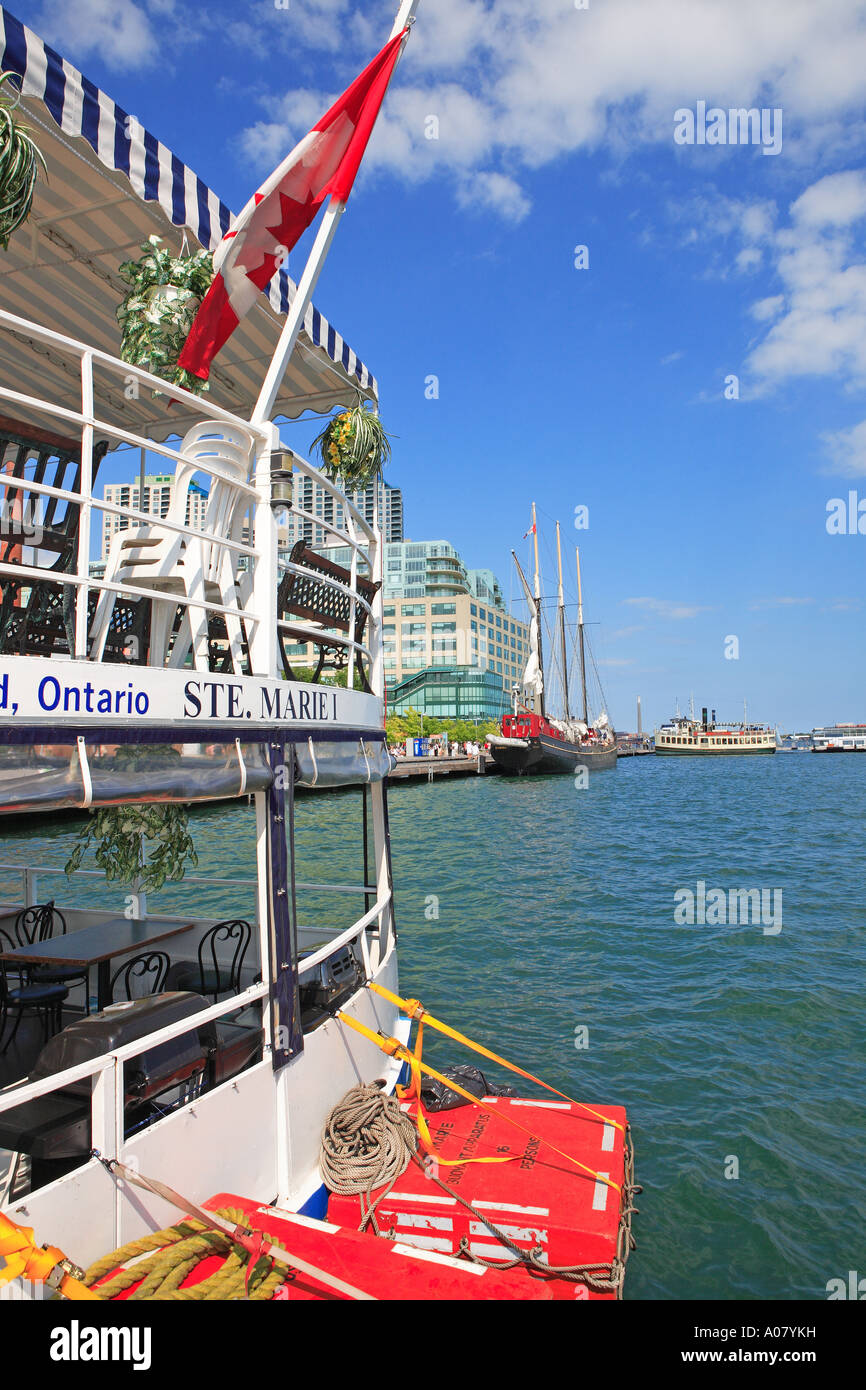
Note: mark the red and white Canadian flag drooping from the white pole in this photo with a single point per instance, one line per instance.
(258, 244)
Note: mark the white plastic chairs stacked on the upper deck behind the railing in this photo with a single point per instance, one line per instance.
(181, 565)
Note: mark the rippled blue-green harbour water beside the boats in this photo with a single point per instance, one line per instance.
(539, 918)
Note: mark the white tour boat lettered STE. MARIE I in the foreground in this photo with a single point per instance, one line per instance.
(186, 1100)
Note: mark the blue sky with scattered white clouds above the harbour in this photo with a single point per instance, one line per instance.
(637, 316)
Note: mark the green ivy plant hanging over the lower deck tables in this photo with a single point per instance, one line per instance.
(148, 843)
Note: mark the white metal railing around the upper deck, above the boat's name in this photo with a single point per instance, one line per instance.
(254, 494)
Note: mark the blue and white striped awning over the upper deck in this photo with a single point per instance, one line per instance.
(91, 222)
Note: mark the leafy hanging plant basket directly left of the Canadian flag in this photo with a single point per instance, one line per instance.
(158, 312)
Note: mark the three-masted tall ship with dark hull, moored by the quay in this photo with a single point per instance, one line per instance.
(532, 740)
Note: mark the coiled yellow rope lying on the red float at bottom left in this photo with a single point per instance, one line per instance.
(176, 1253)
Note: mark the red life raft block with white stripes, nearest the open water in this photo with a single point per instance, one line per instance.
(572, 1227)
